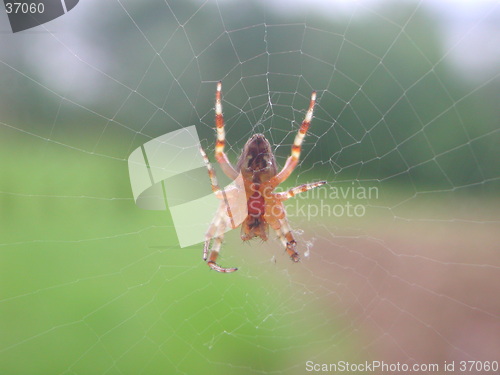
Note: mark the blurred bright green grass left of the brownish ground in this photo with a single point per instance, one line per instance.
(91, 284)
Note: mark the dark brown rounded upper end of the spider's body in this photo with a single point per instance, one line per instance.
(257, 162)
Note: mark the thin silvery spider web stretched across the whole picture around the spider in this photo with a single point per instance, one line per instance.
(400, 249)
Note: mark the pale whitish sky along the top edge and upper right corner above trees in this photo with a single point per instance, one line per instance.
(471, 28)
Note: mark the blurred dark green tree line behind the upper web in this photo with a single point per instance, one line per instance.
(389, 108)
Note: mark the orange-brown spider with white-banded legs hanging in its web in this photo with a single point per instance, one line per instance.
(257, 170)
